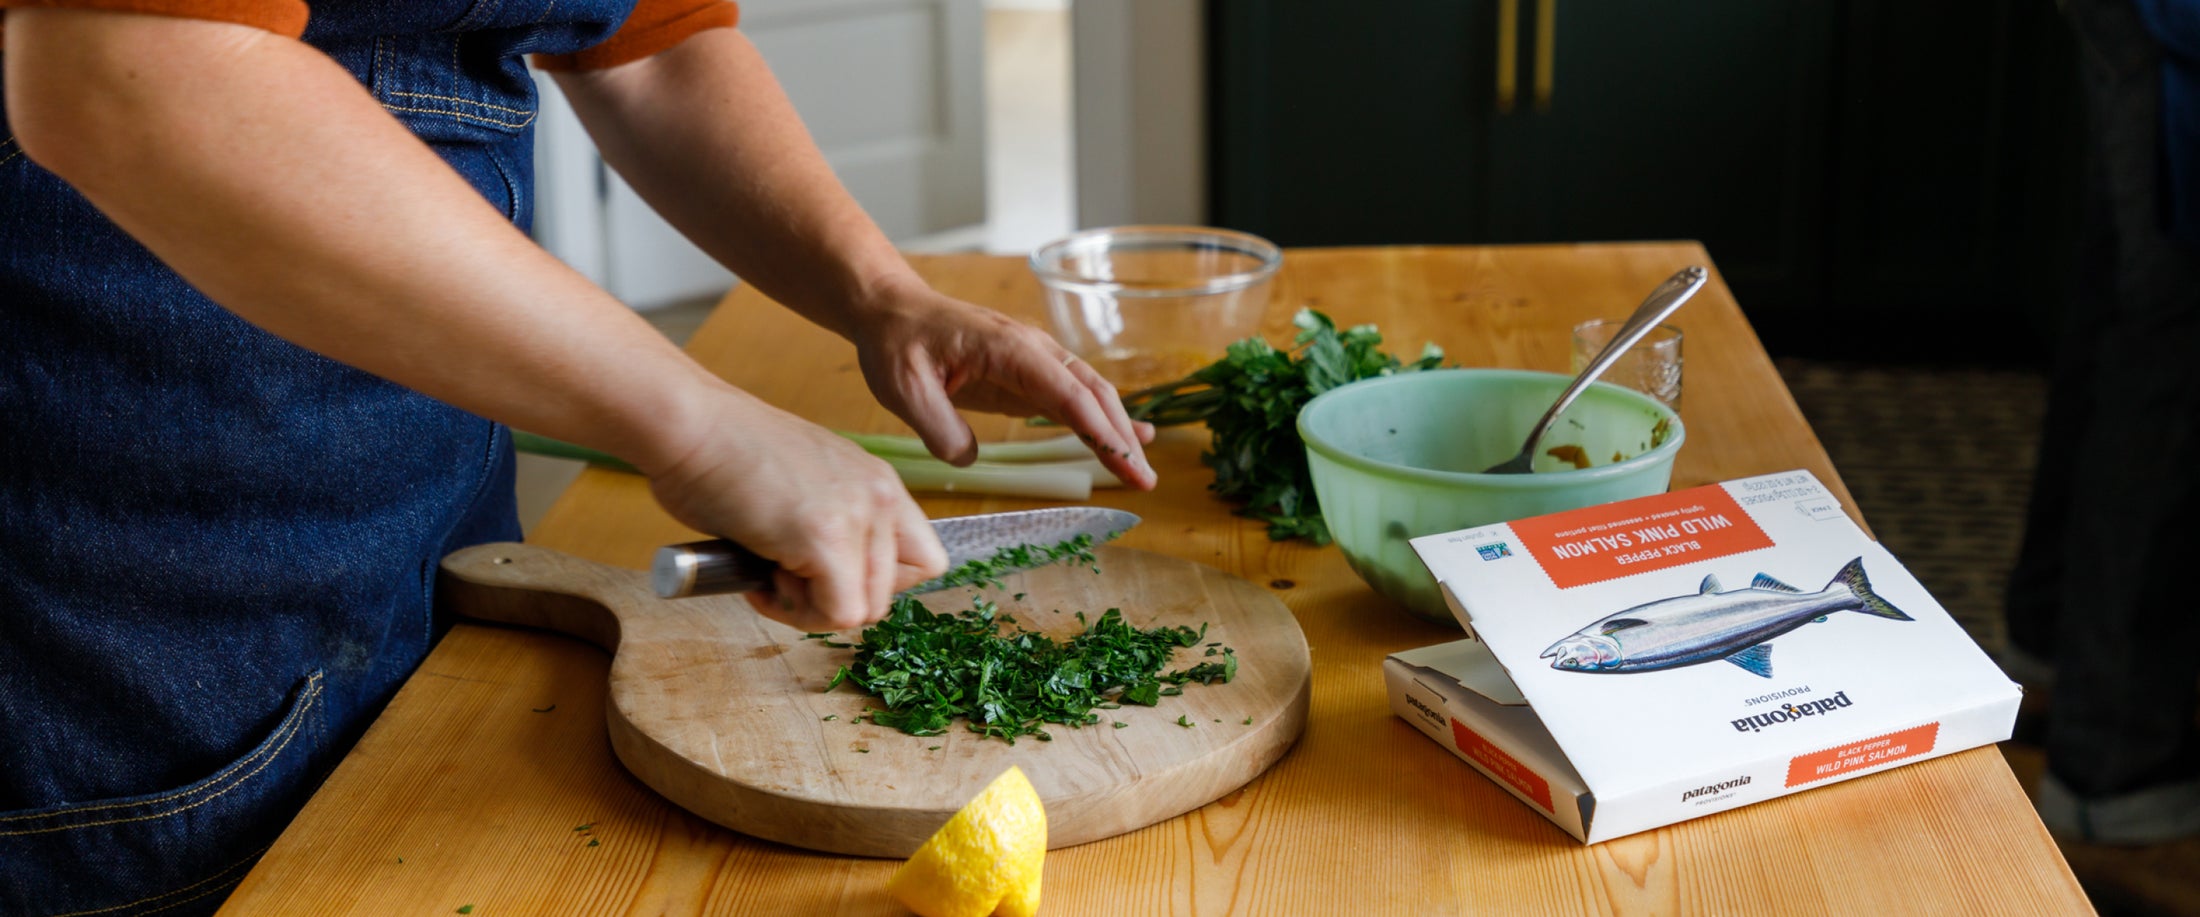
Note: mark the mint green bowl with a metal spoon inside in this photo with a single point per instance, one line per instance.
(1400, 456)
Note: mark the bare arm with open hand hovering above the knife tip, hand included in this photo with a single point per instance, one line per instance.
(709, 140)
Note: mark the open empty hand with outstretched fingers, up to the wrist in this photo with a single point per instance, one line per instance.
(927, 353)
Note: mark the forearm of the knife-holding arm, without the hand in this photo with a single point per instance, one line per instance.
(269, 179)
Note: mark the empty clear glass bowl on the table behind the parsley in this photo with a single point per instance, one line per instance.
(1152, 305)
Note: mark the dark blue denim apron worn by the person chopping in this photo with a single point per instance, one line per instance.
(217, 549)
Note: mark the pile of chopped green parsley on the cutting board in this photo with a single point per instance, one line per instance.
(932, 667)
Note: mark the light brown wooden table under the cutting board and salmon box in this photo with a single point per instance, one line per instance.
(463, 793)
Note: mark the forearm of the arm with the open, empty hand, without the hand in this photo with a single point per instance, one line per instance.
(705, 133)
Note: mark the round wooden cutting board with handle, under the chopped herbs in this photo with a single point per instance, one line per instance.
(725, 711)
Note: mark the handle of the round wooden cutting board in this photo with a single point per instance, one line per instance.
(516, 584)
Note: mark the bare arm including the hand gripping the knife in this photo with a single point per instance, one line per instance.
(269, 179)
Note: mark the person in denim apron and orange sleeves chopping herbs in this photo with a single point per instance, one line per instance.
(265, 300)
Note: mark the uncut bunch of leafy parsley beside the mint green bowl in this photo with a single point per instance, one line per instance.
(1251, 404)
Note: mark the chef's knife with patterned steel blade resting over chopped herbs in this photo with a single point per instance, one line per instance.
(707, 568)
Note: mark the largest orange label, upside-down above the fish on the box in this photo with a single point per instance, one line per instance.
(1640, 535)
